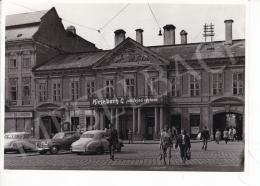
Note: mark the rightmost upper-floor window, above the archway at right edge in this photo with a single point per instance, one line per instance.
(238, 83)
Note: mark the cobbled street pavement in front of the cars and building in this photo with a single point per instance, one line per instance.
(218, 157)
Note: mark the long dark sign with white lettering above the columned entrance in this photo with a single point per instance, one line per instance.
(125, 101)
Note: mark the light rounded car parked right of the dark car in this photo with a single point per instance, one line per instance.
(94, 141)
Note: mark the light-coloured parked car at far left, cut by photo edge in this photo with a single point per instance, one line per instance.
(19, 142)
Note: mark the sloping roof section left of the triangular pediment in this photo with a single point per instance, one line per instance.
(69, 61)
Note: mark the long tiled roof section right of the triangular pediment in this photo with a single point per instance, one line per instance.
(196, 51)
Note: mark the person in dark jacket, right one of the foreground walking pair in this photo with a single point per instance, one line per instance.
(183, 141)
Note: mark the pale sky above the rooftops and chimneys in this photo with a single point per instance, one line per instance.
(190, 17)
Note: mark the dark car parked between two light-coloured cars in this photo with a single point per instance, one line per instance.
(60, 141)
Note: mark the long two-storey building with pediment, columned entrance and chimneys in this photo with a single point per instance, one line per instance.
(145, 89)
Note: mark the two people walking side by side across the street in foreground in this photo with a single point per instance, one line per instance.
(166, 143)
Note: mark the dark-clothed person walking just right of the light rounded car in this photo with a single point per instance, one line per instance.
(113, 140)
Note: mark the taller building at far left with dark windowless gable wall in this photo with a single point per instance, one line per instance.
(31, 39)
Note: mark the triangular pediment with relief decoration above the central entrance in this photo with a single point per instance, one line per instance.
(130, 53)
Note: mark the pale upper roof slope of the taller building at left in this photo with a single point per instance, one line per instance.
(24, 18)
